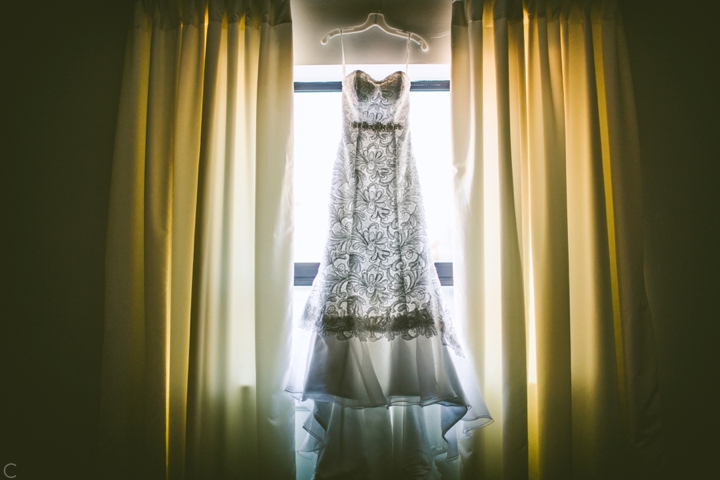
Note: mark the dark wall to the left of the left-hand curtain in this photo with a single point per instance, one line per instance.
(61, 68)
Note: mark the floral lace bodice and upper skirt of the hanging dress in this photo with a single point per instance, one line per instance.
(376, 279)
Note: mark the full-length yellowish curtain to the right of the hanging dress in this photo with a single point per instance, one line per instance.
(546, 146)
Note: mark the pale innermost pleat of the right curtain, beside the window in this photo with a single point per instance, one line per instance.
(468, 121)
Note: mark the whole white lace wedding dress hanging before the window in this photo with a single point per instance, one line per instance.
(390, 388)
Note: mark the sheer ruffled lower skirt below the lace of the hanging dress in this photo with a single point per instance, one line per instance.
(380, 409)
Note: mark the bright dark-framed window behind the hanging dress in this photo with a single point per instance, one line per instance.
(317, 134)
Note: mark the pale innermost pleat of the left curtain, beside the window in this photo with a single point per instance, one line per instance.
(273, 210)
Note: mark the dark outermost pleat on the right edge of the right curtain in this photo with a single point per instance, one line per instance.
(621, 157)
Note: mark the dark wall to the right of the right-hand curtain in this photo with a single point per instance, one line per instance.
(673, 57)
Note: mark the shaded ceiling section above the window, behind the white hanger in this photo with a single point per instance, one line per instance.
(312, 19)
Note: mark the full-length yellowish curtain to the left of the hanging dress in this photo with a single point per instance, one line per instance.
(199, 269)
